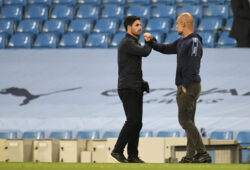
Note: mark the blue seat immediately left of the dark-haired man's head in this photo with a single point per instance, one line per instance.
(106, 25)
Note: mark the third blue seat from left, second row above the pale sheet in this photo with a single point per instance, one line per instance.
(55, 25)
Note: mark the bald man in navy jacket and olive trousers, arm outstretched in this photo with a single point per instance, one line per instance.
(189, 53)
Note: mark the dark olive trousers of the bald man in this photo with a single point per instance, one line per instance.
(186, 113)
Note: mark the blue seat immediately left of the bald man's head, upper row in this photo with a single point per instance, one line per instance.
(162, 11)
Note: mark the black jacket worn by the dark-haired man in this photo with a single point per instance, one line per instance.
(130, 54)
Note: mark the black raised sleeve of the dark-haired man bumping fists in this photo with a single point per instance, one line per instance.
(135, 49)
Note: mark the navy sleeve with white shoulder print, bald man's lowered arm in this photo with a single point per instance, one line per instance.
(191, 68)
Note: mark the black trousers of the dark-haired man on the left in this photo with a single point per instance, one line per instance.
(132, 103)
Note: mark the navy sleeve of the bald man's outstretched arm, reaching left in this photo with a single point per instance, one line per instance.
(164, 48)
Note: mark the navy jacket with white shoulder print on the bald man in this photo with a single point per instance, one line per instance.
(189, 53)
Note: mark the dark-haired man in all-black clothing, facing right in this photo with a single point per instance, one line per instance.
(130, 89)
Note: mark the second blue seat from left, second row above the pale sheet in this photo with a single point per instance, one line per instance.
(28, 25)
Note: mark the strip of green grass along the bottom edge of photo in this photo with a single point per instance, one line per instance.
(118, 166)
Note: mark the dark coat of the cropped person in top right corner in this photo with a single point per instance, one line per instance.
(241, 23)
